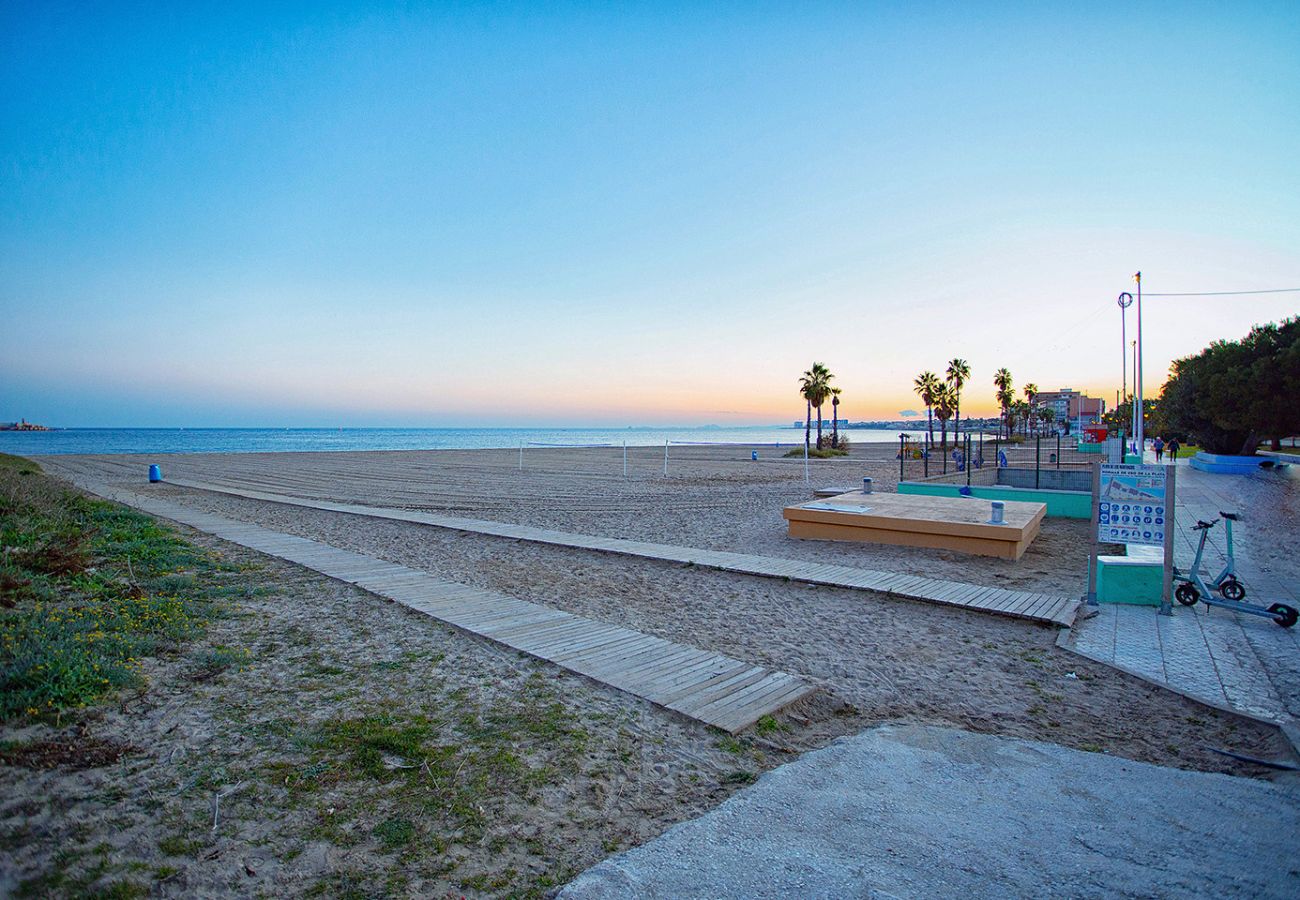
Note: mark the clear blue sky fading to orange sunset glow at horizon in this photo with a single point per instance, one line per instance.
(625, 214)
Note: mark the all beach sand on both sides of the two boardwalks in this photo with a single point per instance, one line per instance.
(322, 651)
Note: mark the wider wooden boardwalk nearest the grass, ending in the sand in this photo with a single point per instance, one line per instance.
(704, 686)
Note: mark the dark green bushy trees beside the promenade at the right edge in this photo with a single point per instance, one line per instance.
(1236, 395)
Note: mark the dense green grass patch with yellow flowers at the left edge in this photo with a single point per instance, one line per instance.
(88, 590)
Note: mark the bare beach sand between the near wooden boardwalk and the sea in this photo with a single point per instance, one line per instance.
(886, 659)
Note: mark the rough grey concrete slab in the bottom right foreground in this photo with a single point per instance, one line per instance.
(926, 812)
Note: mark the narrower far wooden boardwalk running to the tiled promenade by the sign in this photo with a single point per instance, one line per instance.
(1051, 609)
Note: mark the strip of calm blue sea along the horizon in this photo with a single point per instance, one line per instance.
(272, 440)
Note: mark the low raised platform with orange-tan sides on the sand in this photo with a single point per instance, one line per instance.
(918, 521)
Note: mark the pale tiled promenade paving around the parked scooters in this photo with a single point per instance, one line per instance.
(1225, 659)
